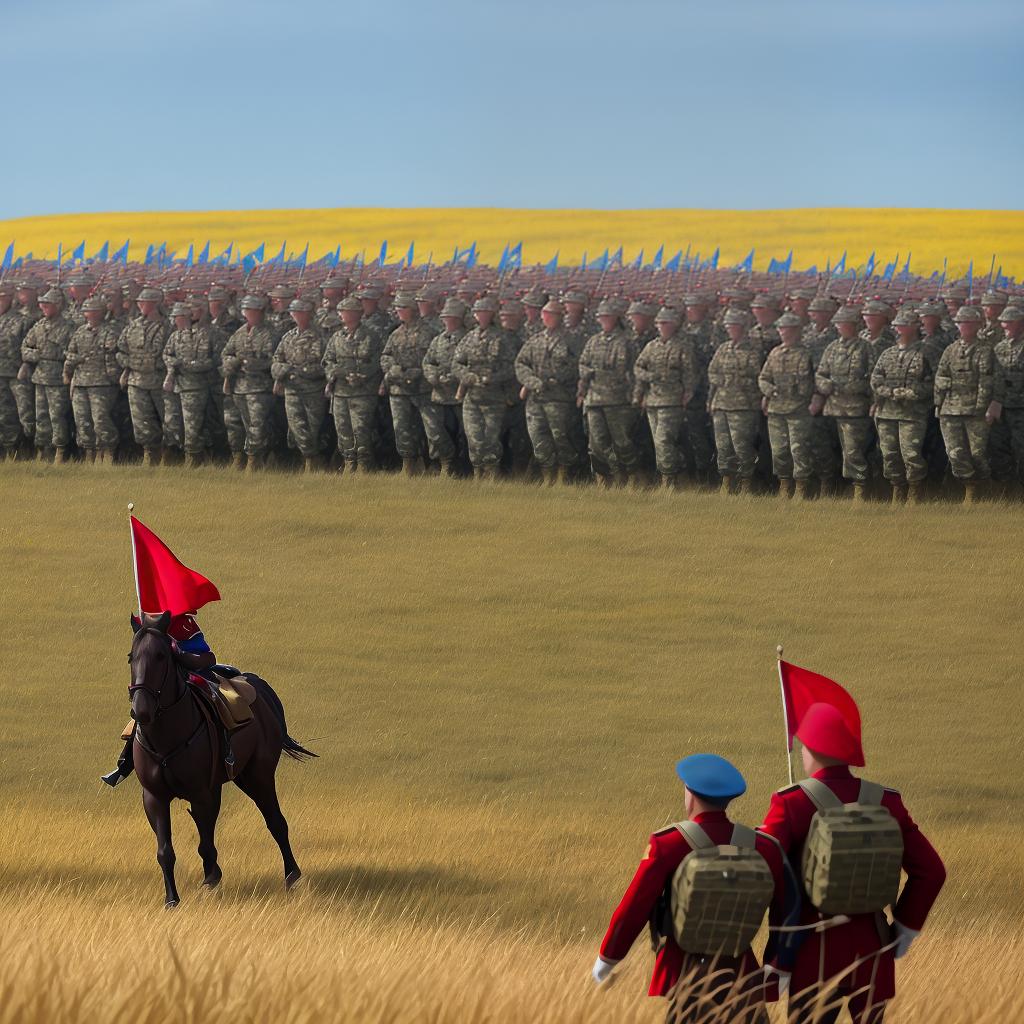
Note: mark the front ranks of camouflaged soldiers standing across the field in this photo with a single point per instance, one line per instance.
(815, 395)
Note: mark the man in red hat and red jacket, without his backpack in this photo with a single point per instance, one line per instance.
(855, 960)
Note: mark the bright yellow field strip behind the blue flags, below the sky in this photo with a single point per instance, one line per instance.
(816, 236)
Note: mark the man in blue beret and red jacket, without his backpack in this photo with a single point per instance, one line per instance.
(711, 783)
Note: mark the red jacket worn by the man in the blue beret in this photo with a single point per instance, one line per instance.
(666, 852)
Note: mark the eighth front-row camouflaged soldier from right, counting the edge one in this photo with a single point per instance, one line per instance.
(606, 394)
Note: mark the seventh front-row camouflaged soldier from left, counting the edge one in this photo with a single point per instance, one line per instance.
(298, 371)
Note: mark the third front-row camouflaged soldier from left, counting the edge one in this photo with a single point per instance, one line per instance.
(92, 370)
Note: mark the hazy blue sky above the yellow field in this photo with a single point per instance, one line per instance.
(191, 105)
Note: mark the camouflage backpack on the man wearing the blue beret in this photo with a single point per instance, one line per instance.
(719, 893)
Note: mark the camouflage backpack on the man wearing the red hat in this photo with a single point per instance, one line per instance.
(854, 852)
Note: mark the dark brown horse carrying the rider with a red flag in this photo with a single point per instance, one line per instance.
(178, 753)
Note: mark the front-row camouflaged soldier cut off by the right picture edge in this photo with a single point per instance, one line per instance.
(1007, 409)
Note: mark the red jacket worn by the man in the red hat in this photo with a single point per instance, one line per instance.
(789, 820)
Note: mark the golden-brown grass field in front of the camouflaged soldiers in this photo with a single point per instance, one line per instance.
(499, 679)
